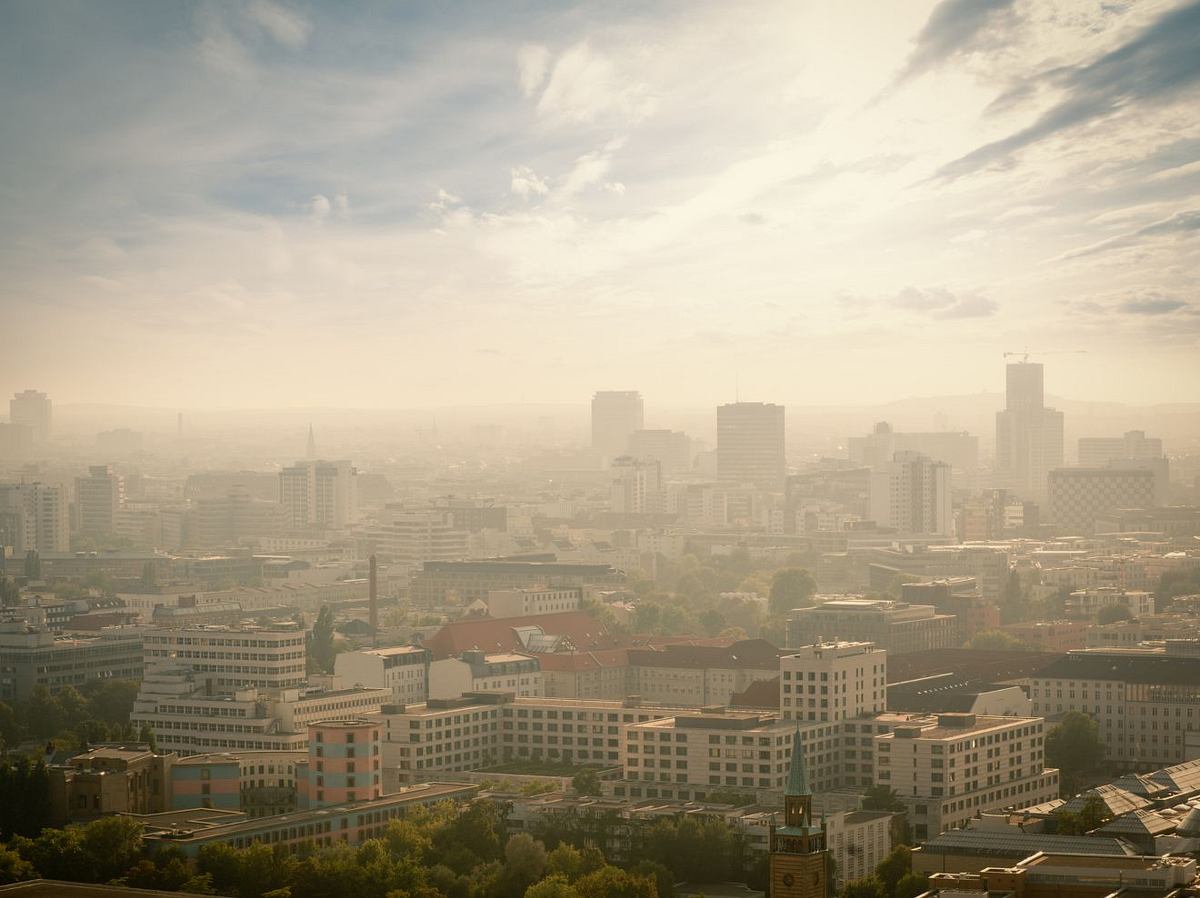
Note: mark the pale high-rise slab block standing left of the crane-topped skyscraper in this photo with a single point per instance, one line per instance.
(913, 495)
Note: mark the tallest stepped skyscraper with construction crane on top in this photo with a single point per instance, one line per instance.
(1029, 436)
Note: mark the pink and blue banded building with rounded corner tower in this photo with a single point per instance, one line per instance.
(345, 763)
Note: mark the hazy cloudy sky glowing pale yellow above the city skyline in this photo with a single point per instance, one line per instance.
(382, 205)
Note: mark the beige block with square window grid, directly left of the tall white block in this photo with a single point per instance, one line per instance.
(721, 752)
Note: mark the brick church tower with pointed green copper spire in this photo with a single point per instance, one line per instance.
(800, 866)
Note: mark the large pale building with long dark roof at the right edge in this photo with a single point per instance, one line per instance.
(1147, 702)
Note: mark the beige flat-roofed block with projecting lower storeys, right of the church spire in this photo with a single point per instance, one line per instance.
(950, 770)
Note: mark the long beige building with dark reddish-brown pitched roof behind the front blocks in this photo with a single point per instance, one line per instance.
(700, 677)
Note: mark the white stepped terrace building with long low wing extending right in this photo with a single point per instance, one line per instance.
(188, 719)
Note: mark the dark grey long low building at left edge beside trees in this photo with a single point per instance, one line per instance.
(32, 657)
